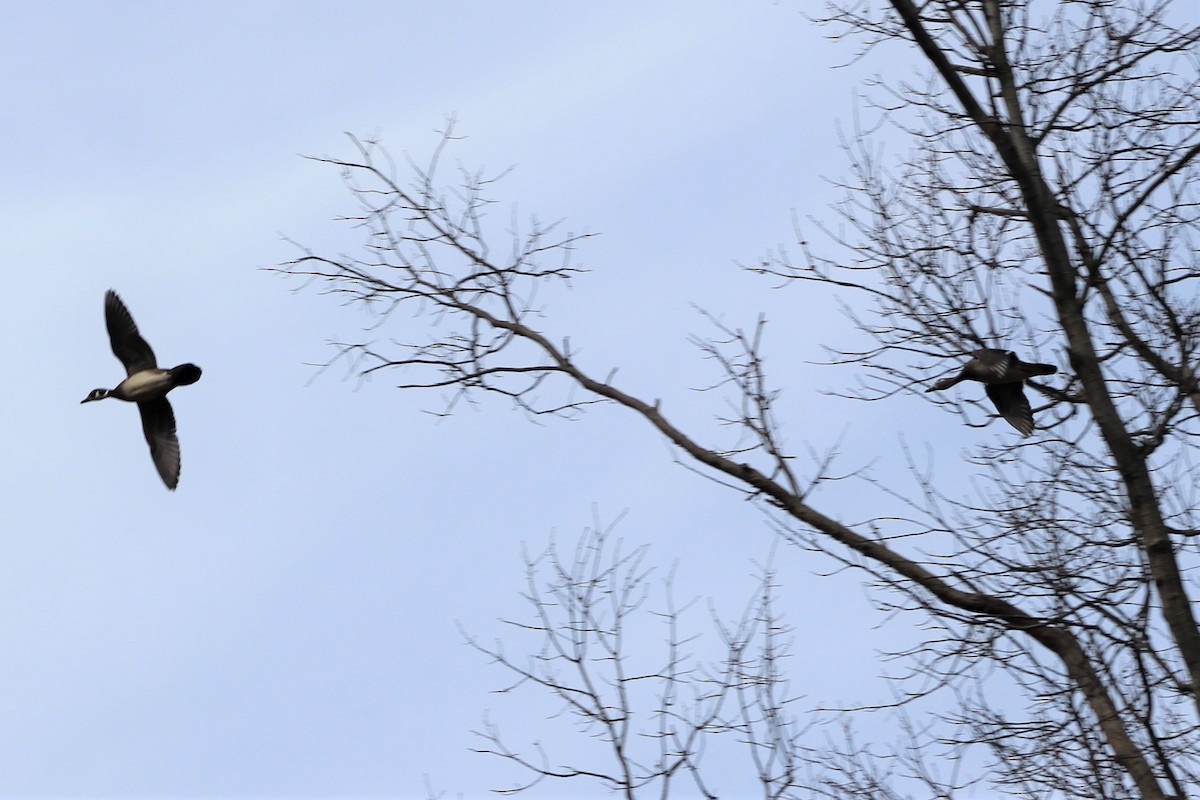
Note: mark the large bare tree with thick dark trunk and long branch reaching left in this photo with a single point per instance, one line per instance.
(1048, 207)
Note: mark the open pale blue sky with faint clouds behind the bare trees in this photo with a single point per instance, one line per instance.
(284, 624)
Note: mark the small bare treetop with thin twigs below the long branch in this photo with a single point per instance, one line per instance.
(651, 713)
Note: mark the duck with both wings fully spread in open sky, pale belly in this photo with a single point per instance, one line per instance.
(146, 386)
